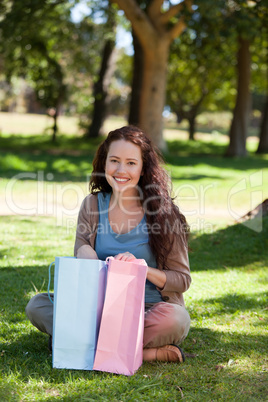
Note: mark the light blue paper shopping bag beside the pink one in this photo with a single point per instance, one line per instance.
(79, 289)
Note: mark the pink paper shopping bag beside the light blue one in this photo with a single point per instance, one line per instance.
(120, 343)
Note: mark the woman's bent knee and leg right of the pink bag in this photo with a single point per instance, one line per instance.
(165, 324)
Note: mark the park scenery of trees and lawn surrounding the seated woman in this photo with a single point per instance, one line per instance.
(196, 79)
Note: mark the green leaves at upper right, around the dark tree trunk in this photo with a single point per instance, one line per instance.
(201, 70)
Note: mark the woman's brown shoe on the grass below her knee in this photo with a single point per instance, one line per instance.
(167, 353)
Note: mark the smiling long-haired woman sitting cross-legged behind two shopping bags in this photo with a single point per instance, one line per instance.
(130, 214)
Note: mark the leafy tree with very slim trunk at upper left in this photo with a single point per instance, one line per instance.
(58, 59)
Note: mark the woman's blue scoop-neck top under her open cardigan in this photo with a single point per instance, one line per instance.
(108, 243)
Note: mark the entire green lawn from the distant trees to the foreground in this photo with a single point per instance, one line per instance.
(227, 346)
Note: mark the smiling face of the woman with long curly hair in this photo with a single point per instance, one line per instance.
(123, 167)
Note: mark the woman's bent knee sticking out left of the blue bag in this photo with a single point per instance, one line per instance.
(39, 310)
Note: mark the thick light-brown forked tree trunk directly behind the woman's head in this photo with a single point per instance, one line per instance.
(155, 29)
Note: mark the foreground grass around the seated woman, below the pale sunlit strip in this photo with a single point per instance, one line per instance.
(226, 348)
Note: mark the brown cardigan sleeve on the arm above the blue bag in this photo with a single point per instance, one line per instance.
(87, 223)
